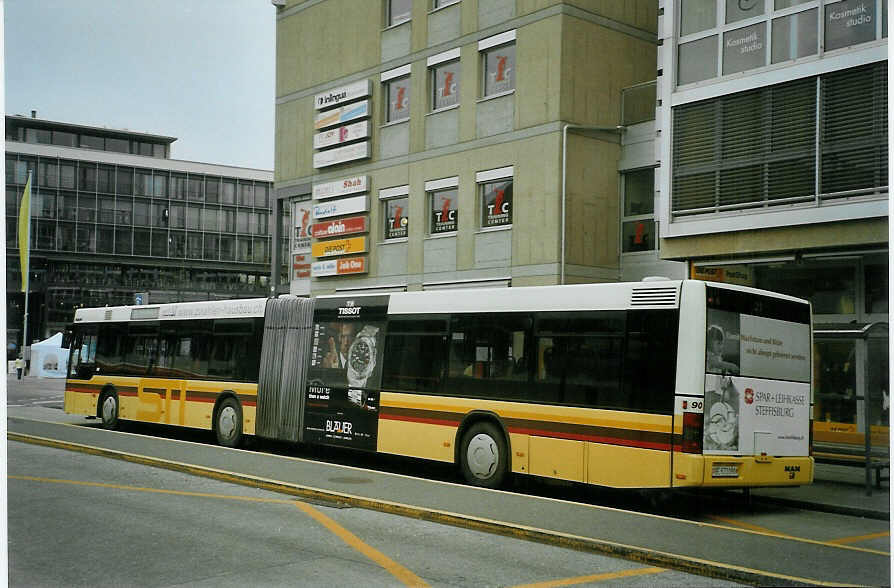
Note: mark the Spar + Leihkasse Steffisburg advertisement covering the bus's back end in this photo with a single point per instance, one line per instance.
(757, 385)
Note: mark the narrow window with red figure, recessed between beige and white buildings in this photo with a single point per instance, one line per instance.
(638, 220)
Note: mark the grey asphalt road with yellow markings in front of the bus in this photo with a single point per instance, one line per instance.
(772, 537)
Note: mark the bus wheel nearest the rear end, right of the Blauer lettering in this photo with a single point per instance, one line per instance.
(483, 455)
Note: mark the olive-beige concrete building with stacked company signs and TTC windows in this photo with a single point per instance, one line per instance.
(432, 144)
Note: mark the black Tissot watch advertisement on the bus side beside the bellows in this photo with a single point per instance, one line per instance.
(342, 398)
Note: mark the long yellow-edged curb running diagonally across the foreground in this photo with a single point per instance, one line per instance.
(598, 546)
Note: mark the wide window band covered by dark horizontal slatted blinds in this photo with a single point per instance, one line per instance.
(758, 148)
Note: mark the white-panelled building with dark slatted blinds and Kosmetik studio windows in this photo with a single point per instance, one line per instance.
(773, 143)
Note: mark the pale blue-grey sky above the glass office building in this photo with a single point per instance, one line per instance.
(199, 70)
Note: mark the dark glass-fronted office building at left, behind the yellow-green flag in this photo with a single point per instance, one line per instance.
(115, 220)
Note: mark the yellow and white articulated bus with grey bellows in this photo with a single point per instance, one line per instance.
(655, 384)
